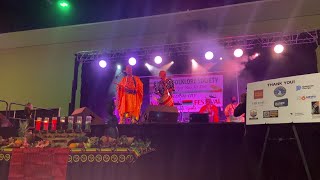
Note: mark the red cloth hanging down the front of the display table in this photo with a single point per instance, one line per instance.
(37, 163)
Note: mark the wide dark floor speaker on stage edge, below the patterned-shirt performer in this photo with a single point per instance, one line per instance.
(162, 114)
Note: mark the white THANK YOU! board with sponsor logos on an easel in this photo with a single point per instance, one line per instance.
(286, 100)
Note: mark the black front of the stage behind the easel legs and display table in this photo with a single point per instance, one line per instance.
(209, 151)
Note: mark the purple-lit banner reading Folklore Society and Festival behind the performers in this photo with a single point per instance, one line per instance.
(192, 90)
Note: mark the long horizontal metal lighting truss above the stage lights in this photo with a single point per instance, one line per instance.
(245, 42)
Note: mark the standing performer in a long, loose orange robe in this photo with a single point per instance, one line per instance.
(129, 97)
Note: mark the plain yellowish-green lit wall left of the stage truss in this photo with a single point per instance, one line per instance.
(41, 75)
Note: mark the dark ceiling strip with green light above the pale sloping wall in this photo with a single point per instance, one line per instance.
(19, 15)
